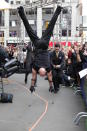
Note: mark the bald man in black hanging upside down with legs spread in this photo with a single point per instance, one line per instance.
(42, 61)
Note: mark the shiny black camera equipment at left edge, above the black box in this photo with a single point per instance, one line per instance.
(7, 67)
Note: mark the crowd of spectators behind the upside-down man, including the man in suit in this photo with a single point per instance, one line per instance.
(65, 63)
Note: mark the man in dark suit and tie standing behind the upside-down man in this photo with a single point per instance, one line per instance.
(57, 61)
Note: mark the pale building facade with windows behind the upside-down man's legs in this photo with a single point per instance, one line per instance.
(12, 29)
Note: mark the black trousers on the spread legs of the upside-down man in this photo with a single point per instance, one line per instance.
(48, 32)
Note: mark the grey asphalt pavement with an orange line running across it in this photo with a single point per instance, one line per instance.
(42, 110)
